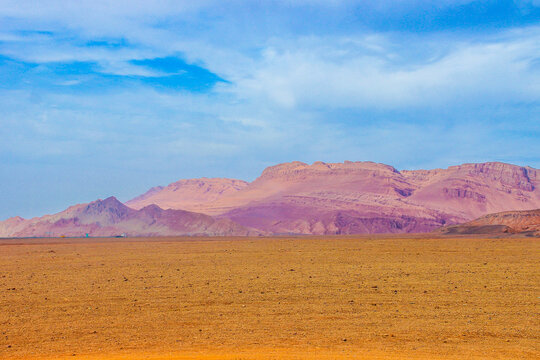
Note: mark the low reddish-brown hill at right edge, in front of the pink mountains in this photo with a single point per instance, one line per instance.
(525, 222)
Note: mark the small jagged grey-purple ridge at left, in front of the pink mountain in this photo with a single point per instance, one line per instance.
(110, 217)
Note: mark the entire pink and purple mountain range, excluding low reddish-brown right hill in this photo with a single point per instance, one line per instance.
(298, 198)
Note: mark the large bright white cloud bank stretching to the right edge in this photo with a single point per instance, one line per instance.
(329, 72)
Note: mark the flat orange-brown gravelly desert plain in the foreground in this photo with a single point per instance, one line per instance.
(270, 298)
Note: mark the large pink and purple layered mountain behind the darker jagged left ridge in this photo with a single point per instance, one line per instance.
(357, 197)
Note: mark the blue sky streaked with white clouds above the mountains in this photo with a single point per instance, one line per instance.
(101, 98)
